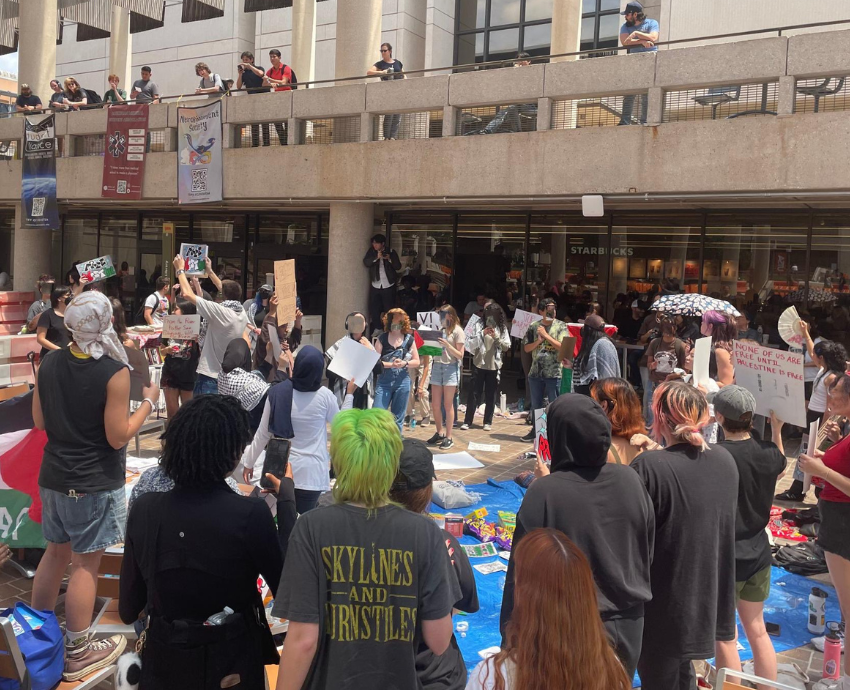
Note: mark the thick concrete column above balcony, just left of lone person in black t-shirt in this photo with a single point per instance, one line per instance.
(358, 37)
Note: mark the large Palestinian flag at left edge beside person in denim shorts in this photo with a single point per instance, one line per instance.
(21, 450)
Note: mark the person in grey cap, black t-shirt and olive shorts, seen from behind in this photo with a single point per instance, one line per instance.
(759, 464)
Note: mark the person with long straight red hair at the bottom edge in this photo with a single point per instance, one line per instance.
(555, 638)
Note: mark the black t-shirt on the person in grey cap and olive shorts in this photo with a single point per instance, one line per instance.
(759, 464)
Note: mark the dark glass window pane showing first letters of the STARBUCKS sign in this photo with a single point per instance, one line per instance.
(570, 252)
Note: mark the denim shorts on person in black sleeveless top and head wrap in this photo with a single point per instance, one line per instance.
(91, 522)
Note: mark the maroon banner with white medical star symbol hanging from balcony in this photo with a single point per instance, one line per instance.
(126, 150)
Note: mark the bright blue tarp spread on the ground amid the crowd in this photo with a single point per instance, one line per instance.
(787, 605)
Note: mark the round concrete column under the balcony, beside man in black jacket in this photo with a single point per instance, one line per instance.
(351, 227)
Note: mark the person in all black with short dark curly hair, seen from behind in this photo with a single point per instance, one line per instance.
(197, 549)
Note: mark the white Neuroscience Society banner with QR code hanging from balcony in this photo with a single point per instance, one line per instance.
(199, 160)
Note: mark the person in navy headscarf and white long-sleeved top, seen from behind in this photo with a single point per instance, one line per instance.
(300, 409)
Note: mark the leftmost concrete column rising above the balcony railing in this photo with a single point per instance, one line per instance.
(37, 26)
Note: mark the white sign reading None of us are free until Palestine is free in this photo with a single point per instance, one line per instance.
(775, 378)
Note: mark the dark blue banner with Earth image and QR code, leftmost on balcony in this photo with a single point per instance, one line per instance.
(38, 182)
